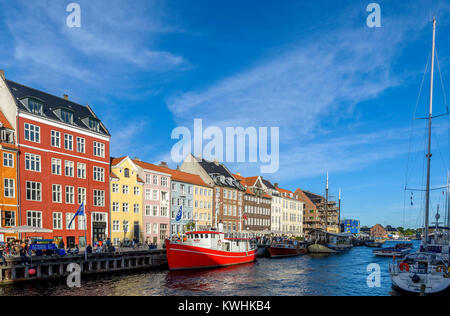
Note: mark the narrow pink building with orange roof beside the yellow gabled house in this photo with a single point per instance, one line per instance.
(156, 202)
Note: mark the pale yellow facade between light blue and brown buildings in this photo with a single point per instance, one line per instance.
(203, 206)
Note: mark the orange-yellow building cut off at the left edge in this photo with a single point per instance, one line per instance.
(9, 214)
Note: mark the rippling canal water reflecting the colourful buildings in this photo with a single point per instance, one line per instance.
(336, 274)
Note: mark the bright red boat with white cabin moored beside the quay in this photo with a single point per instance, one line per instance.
(208, 249)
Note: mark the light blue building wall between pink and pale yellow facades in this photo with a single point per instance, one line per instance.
(182, 194)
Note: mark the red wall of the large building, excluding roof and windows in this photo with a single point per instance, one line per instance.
(97, 216)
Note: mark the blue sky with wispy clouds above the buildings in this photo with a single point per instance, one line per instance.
(342, 94)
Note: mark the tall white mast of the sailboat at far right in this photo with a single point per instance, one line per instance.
(430, 117)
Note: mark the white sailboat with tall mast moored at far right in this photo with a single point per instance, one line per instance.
(428, 270)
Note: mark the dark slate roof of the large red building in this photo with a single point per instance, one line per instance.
(51, 103)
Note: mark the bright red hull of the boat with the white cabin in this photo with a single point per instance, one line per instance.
(184, 257)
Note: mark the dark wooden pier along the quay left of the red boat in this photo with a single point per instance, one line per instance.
(54, 267)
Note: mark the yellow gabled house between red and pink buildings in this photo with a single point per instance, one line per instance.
(126, 202)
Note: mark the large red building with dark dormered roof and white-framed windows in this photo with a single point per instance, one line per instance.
(63, 162)
